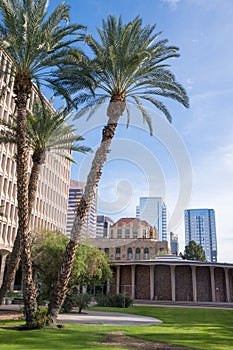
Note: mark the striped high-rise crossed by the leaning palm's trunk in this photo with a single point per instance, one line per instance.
(75, 193)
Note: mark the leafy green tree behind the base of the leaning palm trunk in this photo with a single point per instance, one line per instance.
(90, 264)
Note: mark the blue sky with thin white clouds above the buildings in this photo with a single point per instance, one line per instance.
(189, 163)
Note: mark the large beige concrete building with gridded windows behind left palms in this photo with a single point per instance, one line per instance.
(50, 209)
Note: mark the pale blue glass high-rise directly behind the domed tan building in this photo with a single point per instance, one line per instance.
(154, 211)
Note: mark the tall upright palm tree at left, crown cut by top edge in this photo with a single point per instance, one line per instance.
(35, 43)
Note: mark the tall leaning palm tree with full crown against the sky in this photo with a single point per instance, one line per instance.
(128, 64)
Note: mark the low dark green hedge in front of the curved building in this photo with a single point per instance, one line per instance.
(117, 300)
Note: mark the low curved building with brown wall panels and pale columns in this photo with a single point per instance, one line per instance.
(173, 280)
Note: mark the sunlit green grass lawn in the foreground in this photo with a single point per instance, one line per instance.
(210, 329)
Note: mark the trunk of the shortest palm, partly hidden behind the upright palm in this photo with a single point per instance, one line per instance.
(14, 258)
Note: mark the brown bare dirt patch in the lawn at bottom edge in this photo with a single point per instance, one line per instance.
(121, 340)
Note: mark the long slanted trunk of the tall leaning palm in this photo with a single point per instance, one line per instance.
(115, 110)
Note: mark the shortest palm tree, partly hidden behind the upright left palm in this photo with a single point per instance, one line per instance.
(47, 132)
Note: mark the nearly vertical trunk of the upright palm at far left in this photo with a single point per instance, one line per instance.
(29, 290)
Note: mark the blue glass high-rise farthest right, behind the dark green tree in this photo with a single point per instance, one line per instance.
(200, 227)
